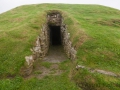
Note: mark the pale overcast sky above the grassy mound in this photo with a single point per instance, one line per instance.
(6, 5)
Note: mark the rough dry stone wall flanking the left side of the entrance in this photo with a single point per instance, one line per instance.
(40, 48)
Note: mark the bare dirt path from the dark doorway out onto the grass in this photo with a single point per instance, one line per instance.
(50, 64)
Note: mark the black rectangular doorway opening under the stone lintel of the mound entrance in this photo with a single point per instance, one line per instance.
(55, 35)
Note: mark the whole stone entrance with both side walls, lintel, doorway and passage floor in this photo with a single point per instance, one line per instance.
(53, 44)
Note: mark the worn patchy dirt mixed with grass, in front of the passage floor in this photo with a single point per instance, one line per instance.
(41, 71)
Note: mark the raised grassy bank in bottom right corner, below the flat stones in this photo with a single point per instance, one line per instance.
(95, 81)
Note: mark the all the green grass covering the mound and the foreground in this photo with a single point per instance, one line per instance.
(94, 29)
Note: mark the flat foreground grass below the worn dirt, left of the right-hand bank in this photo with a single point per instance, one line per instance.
(58, 82)
